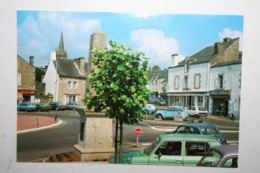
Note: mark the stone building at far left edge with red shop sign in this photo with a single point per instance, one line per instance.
(25, 80)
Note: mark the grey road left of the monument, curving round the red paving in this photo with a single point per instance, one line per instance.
(47, 142)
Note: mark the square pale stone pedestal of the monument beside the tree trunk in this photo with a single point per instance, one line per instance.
(95, 140)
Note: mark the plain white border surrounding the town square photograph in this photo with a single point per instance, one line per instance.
(249, 122)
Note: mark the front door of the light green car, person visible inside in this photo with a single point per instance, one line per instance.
(163, 155)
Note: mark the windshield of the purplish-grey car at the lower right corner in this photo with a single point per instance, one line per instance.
(211, 159)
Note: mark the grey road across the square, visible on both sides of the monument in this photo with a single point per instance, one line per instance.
(44, 143)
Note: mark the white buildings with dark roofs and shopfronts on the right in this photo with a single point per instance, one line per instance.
(209, 78)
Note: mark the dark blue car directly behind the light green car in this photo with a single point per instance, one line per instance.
(202, 129)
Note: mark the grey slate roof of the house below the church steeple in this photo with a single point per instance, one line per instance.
(67, 68)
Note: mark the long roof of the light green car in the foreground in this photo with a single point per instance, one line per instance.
(194, 137)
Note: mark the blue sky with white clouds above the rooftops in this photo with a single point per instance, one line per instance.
(157, 35)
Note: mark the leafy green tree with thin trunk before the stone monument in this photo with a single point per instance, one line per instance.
(119, 81)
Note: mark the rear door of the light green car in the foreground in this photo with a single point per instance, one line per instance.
(194, 151)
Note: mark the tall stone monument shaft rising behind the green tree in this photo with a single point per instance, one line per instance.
(98, 41)
